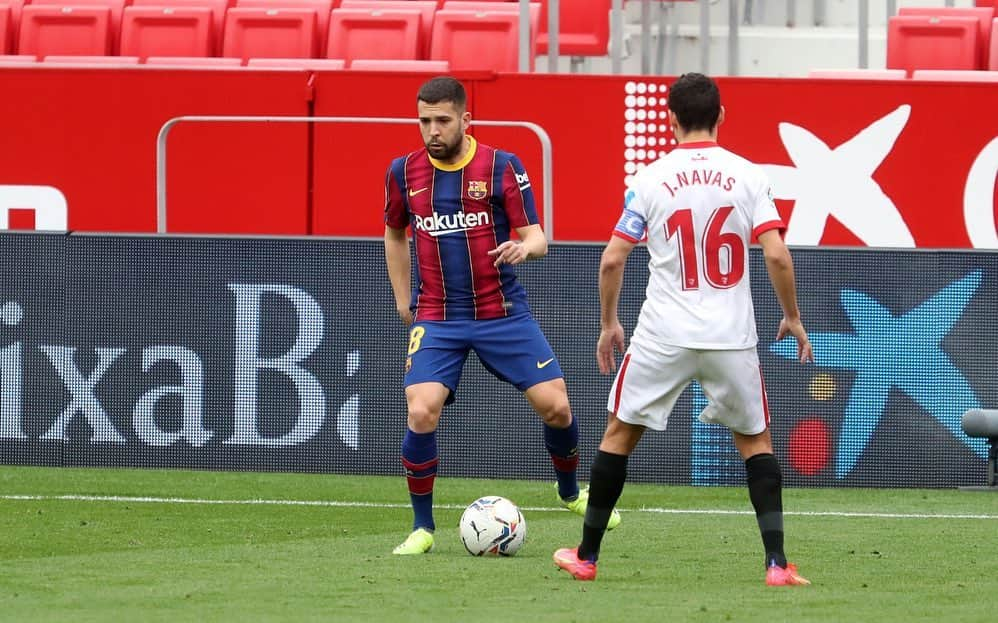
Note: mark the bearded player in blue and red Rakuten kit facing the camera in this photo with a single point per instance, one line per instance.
(461, 199)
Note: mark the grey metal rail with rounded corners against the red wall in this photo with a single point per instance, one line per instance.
(164, 133)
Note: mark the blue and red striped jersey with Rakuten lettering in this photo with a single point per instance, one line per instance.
(458, 213)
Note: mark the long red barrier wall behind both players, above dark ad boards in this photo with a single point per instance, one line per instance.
(852, 162)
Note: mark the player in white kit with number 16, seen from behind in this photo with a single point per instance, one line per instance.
(699, 207)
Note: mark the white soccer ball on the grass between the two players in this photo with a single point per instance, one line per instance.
(492, 526)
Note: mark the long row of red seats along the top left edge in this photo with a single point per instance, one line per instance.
(468, 34)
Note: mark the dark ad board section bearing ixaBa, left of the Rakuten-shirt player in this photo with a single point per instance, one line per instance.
(189, 352)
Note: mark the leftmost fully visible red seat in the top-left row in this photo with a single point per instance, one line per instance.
(52, 30)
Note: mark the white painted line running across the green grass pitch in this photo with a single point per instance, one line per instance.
(340, 504)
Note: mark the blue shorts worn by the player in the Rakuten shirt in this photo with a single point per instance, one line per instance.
(513, 349)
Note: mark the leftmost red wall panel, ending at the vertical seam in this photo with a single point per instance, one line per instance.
(91, 133)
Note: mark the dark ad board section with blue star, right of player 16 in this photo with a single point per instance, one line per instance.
(902, 349)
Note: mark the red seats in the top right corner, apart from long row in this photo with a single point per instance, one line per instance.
(923, 38)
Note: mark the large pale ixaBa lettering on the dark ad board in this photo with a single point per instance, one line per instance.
(168, 413)
